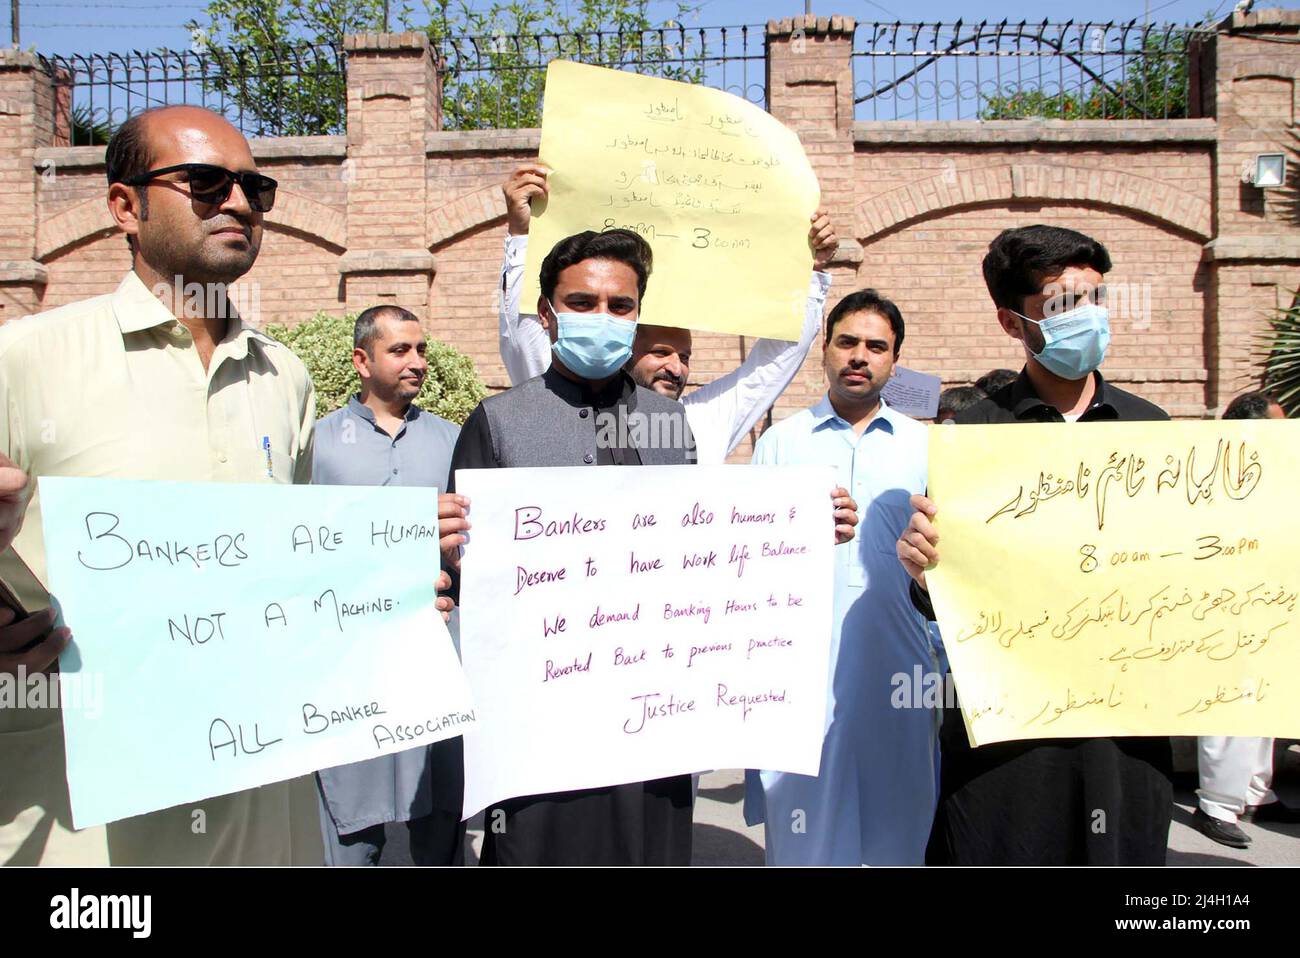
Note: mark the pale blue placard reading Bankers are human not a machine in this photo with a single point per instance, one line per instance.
(244, 634)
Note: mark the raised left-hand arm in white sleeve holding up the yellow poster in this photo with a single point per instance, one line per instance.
(525, 348)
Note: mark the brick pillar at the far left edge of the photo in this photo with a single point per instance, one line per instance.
(27, 124)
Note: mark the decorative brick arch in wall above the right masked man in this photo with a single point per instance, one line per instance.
(1034, 181)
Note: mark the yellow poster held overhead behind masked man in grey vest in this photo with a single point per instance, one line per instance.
(720, 189)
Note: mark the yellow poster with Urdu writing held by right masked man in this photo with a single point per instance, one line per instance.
(1128, 579)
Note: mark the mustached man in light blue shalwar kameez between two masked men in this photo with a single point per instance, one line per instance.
(874, 799)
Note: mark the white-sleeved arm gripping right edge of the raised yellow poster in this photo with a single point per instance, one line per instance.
(738, 400)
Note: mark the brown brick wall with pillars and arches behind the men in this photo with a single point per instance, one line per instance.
(401, 211)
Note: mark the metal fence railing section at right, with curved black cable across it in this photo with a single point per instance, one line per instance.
(1019, 71)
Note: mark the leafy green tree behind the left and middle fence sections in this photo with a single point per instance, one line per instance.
(266, 55)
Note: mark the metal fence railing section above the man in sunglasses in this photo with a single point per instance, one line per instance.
(279, 93)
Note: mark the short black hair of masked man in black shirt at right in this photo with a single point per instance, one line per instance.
(1020, 259)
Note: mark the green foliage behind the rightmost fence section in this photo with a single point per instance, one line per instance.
(1154, 85)
